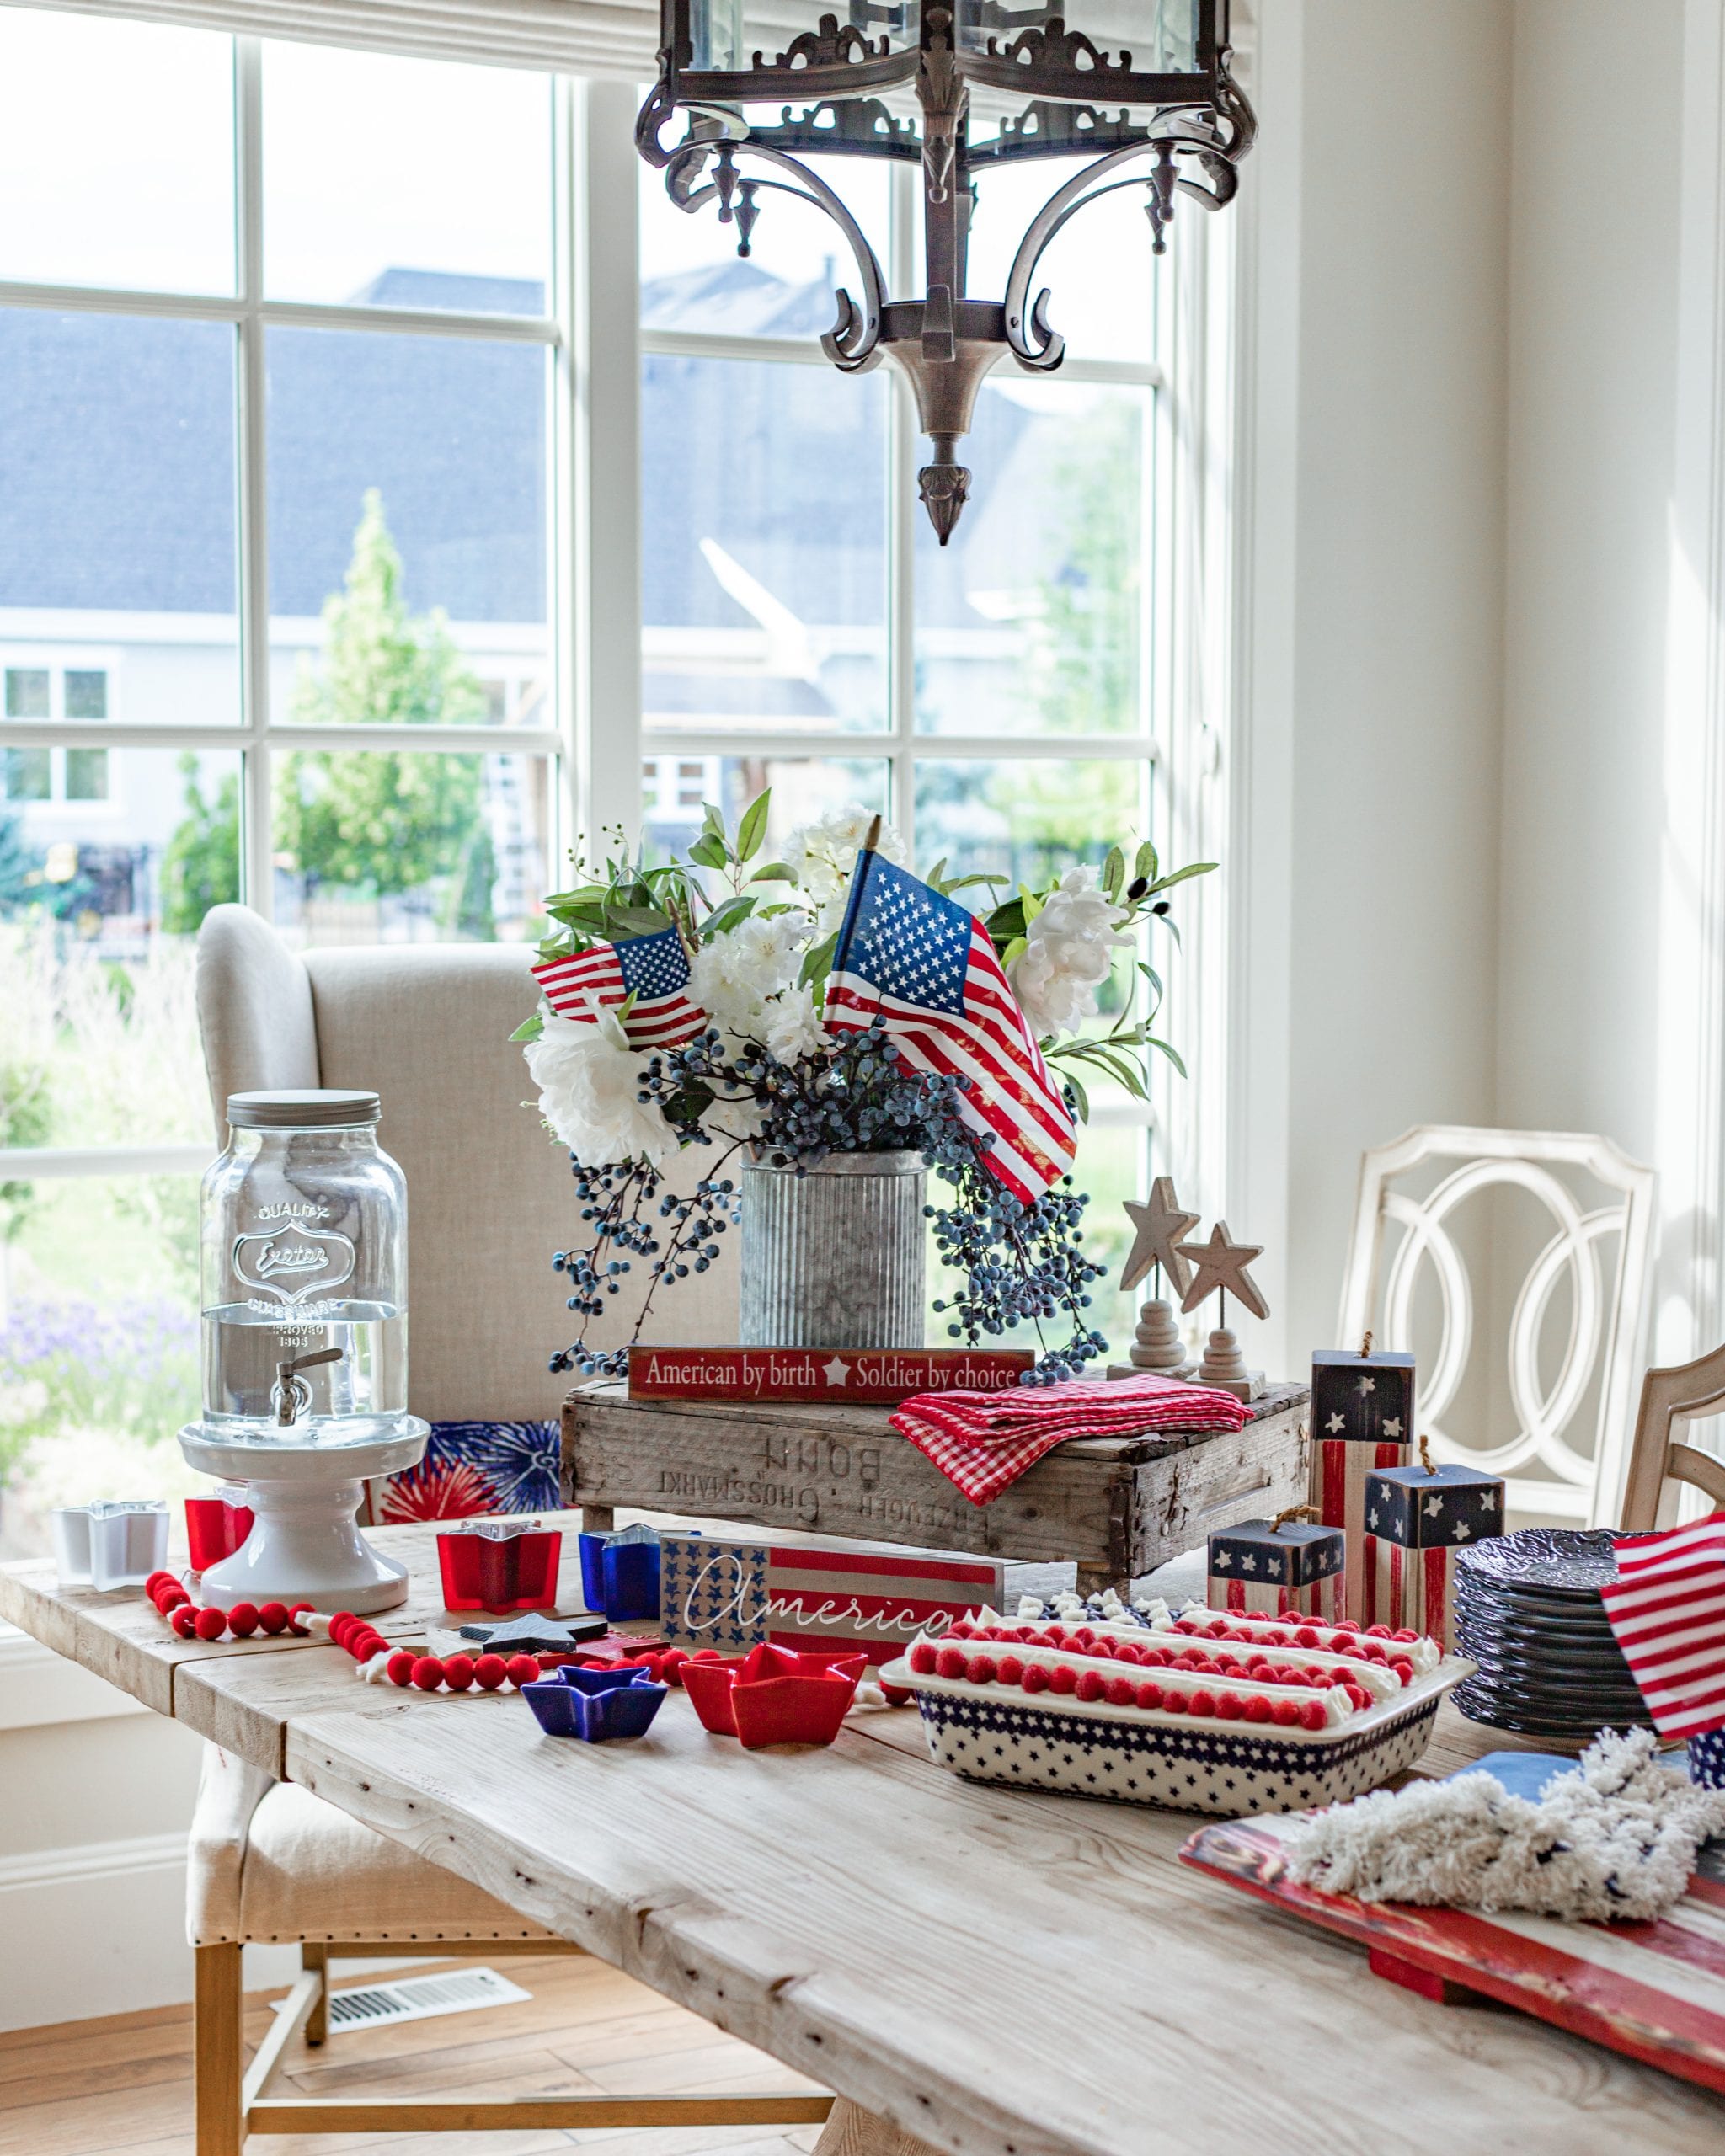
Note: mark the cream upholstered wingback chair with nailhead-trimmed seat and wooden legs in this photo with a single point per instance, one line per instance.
(488, 1200)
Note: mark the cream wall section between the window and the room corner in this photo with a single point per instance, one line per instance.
(1379, 562)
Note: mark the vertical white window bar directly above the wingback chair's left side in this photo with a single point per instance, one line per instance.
(258, 853)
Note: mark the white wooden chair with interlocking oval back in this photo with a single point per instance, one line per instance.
(1590, 1264)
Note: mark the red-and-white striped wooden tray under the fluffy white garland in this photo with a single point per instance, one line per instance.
(1655, 1991)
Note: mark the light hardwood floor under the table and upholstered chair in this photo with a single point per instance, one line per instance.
(126, 2086)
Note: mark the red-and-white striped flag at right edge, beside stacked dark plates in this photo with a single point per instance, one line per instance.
(1668, 1612)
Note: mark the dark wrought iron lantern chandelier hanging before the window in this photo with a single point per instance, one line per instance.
(965, 89)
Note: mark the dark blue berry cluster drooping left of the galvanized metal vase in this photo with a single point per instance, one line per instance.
(618, 1206)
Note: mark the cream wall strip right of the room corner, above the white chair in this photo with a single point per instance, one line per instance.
(1590, 465)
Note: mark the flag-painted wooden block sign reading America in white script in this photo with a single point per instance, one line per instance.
(732, 1592)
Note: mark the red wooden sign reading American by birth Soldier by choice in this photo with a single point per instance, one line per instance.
(870, 1377)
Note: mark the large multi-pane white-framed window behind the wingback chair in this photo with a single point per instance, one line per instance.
(337, 400)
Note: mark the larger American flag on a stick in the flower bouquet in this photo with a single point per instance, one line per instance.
(922, 965)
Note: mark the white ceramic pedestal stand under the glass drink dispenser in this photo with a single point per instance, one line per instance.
(305, 1543)
